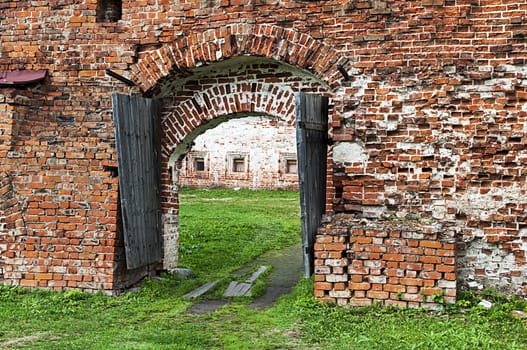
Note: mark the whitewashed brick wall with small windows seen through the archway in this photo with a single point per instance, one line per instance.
(248, 152)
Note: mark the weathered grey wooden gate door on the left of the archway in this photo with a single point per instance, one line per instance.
(138, 150)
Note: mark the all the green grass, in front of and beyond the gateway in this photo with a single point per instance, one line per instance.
(222, 231)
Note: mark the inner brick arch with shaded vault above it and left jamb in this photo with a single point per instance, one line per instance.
(238, 87)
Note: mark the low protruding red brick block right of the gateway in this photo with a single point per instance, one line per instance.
(404, 264)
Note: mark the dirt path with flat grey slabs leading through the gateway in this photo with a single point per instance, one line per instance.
(287, 268)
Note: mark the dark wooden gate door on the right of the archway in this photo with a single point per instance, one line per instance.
(311, 136)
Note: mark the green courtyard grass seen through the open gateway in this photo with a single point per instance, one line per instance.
(221, 230)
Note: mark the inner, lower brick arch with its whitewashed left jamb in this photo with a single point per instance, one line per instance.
(203, 110)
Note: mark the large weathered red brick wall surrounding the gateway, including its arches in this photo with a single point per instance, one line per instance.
(427, 124)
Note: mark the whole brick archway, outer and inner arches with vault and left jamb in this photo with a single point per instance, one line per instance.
(237, 70)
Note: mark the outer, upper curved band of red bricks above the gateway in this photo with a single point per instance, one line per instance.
(266, 40)
